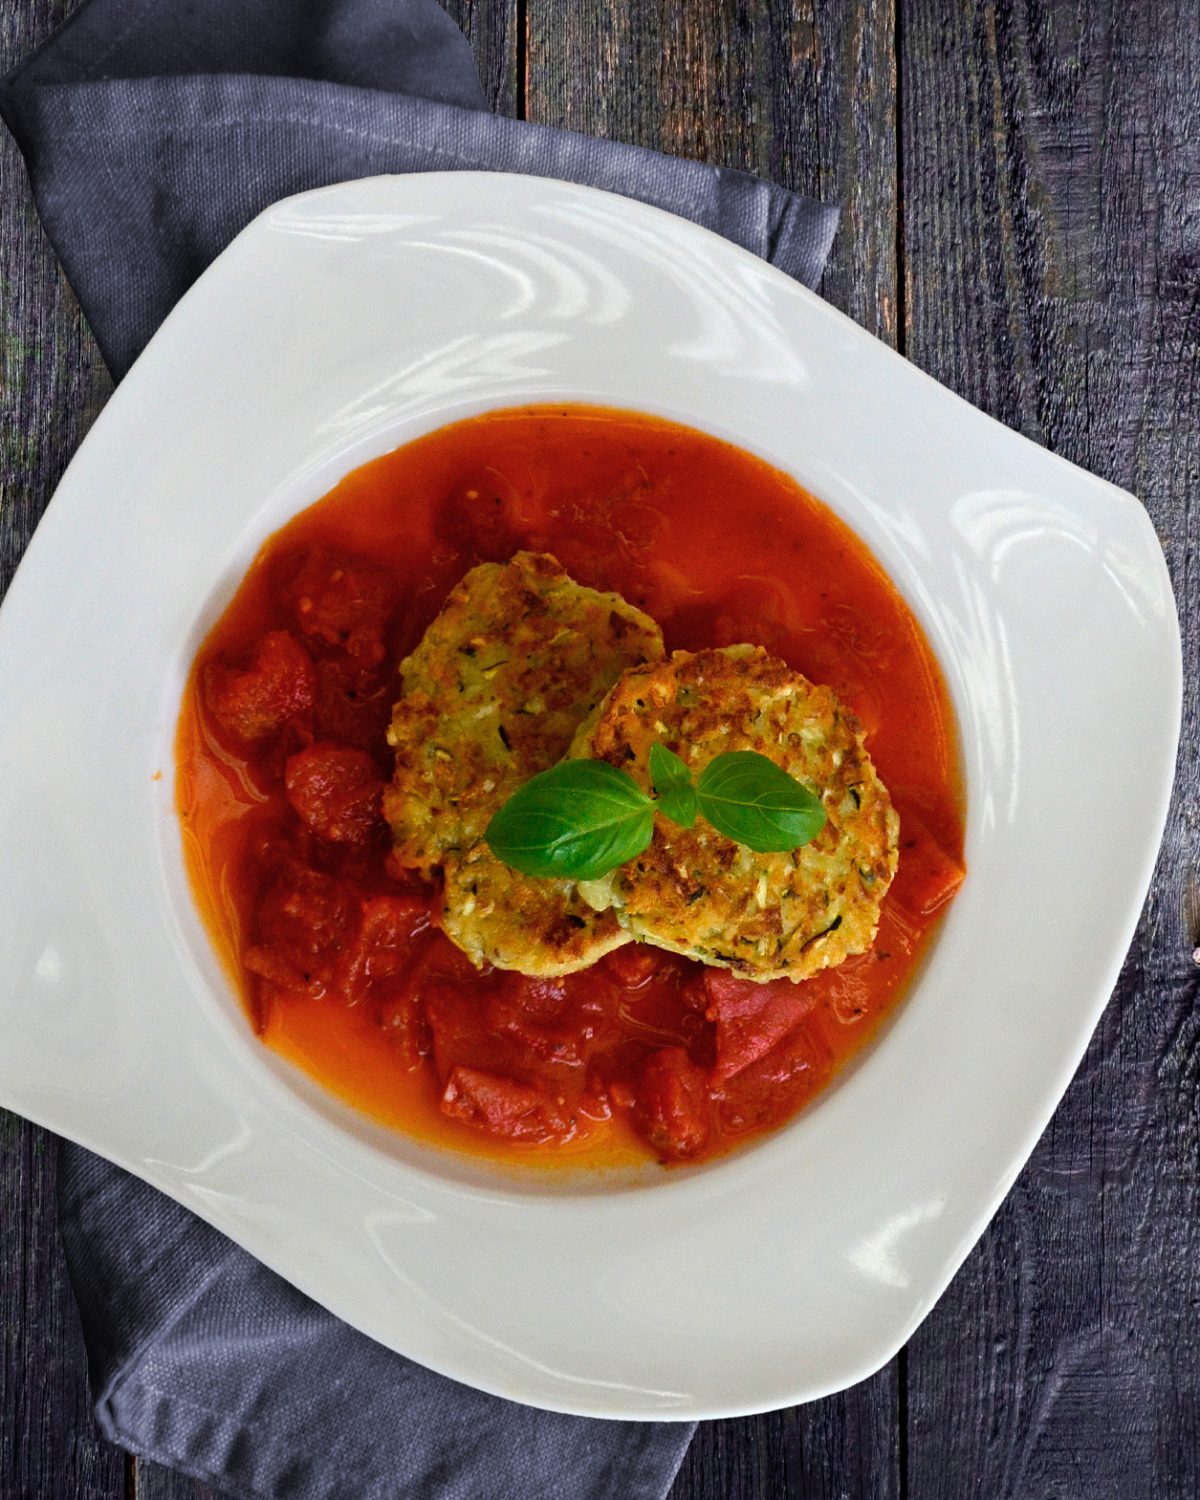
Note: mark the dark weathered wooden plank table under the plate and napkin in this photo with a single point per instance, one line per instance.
(1022, 220)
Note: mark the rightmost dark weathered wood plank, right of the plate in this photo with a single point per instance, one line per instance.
(1052, 184)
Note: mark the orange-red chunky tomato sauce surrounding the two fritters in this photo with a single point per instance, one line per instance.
(281, 755)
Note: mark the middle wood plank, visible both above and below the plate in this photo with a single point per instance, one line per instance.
(803, 95)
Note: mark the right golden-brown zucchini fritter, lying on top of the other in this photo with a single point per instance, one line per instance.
(695, 892)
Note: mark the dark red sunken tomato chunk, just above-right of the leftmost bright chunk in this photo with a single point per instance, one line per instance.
(340, 601)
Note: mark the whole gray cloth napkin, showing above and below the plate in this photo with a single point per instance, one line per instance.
(154, 131)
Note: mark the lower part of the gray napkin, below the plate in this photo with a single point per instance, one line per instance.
(206, 1361)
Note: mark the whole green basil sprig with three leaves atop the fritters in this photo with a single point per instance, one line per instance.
(584, 818)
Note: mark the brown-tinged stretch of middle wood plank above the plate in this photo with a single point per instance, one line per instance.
(803, 95)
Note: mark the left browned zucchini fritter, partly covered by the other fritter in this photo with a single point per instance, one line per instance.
(494, 694)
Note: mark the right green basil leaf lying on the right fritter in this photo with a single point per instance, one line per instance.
(754, 802)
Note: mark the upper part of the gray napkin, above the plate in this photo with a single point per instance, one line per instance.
(155, 130)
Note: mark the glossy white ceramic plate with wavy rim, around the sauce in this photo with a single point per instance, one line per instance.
(338, 326)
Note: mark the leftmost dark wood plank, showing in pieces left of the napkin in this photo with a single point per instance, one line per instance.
(52, 385)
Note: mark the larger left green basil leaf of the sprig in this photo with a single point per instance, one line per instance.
(575, 823)
